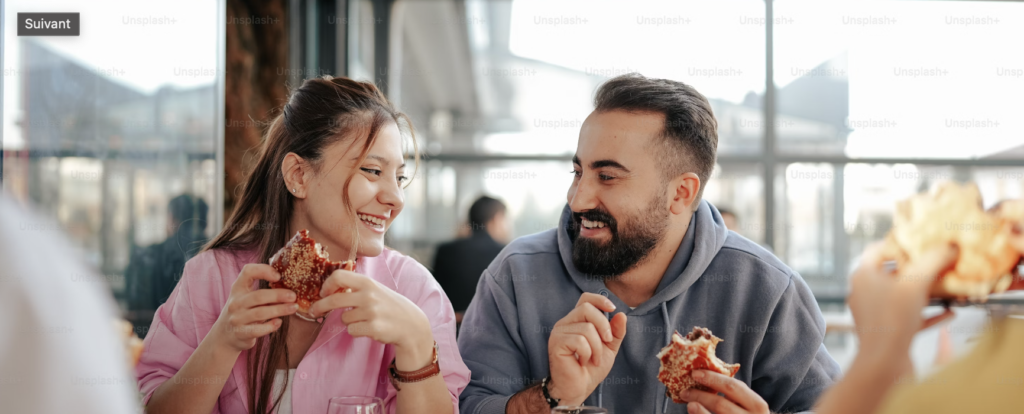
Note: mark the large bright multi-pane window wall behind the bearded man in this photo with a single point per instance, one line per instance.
(521, 88)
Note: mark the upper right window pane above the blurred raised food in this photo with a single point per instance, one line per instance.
(900, 79)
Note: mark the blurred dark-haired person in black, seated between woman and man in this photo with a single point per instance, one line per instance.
(458, 265)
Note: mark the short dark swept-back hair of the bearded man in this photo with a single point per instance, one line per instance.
(691, 130)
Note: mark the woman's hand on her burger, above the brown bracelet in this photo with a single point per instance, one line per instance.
(380, 314)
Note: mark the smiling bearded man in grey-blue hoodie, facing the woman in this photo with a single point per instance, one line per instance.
(577, 315)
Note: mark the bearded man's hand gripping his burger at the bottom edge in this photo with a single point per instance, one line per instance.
(738, 397)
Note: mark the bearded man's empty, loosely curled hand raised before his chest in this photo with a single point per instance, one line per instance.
(583, 348)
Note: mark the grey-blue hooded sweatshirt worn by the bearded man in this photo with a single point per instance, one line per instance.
(765, 313)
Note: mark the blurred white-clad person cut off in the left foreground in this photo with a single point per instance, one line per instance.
(60, 352)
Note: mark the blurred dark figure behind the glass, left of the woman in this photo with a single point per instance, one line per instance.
(154, 271)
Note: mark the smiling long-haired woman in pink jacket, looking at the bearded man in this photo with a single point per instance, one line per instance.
(331, 163)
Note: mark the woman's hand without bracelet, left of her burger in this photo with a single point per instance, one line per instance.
(250, 314)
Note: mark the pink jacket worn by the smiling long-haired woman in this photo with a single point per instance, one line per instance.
(336, 365)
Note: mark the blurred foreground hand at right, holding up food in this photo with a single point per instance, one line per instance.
(887, 305)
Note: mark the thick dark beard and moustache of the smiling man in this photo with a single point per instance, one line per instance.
(630, 245)
